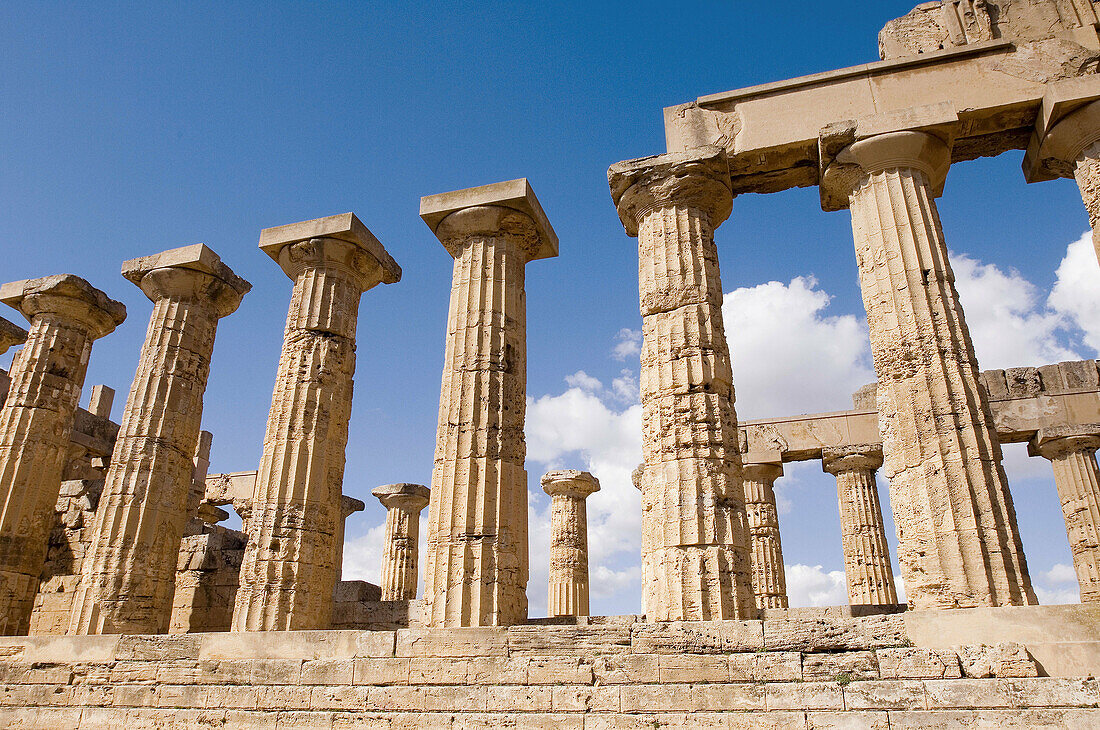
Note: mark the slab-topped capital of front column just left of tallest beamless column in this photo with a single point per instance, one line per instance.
(340, 242)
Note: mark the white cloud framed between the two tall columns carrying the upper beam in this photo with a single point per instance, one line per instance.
(789, 356)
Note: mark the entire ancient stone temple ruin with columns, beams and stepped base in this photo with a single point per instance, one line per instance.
(124, 602)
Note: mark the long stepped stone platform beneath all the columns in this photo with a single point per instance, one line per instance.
(797, 669)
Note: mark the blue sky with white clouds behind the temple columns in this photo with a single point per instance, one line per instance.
(130, 129)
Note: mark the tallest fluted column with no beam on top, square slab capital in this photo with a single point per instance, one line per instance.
(477, 559)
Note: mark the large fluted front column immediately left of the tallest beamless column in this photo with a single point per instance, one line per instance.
(290, 572)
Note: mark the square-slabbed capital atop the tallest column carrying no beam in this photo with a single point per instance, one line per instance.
(509, 209)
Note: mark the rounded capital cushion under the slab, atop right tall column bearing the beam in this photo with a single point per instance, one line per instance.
(912, 150)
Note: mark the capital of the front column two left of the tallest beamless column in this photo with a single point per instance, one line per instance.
(193, 273)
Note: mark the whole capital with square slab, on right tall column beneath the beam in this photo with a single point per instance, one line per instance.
(841, 163)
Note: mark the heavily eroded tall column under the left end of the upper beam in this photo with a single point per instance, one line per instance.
(696, 540)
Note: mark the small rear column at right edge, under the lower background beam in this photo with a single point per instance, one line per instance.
(1072, 452)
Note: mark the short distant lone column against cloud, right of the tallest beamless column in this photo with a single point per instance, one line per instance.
(569, 491)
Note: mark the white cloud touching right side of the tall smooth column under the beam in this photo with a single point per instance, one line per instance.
(1010, 325)
